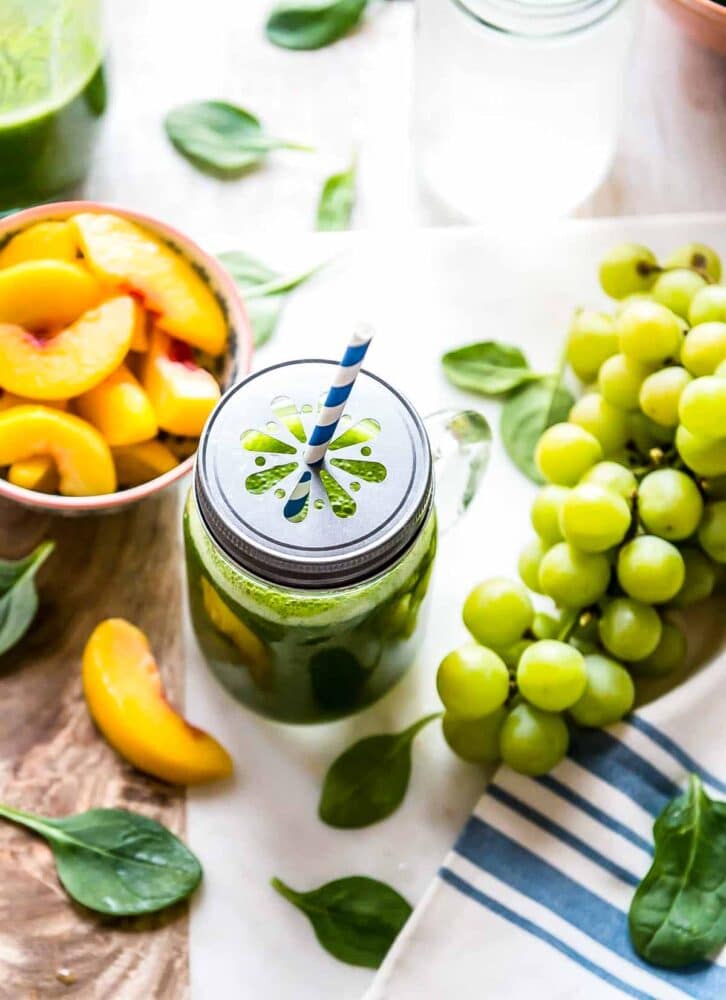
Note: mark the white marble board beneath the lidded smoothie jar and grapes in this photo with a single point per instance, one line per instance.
(423, 292)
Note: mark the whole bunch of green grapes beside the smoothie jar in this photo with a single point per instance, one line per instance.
(630, 524)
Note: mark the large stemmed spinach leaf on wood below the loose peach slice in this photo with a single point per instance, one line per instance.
(114, 861)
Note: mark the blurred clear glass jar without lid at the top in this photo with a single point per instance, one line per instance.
(517, 102)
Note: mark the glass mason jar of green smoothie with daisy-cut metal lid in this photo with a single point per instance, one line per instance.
(310, 616)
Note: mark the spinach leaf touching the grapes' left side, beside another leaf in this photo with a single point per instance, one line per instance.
(527, 414)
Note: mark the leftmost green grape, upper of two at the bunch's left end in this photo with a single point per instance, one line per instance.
(472, 681)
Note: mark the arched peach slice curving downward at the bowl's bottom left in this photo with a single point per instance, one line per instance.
(82, 457)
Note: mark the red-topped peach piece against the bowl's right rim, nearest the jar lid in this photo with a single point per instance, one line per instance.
(182, 394)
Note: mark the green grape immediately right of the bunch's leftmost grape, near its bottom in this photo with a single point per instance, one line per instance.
(551, 675)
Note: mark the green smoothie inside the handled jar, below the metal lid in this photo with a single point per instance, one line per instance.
(305, 655)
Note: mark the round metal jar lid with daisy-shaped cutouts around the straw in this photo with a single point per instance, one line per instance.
(366, 502)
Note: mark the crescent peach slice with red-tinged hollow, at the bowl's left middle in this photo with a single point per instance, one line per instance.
(69, 362)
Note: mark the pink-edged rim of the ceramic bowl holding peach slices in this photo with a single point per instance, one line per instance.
(237, 361)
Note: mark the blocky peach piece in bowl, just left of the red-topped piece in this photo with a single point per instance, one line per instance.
(119, 408)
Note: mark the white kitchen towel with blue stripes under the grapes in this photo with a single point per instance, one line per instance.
(532, 902)
